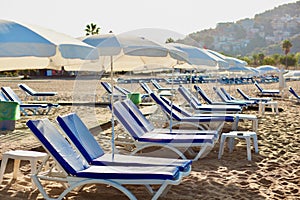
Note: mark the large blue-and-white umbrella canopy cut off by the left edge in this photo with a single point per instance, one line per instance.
(24, 46)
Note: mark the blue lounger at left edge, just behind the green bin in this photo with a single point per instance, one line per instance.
(24, 107)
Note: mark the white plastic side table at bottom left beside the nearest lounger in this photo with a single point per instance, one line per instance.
(18, 155)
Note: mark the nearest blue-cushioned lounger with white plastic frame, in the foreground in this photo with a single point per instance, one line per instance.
(76, 172)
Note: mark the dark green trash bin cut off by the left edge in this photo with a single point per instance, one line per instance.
(9, 113)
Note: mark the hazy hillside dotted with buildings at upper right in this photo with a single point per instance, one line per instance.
(263, 33)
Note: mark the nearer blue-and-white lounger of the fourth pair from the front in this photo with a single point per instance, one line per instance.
(194, 102)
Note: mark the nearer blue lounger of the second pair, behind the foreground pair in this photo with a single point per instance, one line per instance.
(174, 142)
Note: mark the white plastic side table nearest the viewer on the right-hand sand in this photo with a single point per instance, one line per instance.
(238, 134)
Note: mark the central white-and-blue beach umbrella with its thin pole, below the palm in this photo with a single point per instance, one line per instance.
(126, 52)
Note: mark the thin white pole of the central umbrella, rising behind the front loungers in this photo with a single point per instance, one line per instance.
(112, 109)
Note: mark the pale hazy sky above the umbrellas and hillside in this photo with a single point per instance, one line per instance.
(179, 17)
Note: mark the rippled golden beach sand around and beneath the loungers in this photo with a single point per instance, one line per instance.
(272, 174)
